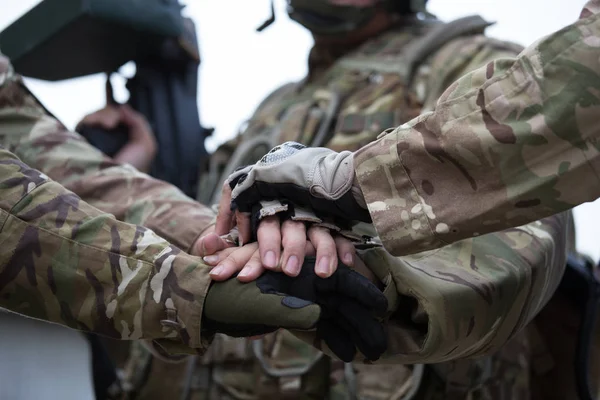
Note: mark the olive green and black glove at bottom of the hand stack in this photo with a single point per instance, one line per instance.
(342, 309)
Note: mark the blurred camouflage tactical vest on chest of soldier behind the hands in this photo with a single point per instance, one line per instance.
(364, 93)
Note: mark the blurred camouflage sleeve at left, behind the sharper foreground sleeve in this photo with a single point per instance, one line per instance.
(43, 143)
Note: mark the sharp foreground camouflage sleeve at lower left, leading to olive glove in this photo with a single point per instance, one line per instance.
(65, 261)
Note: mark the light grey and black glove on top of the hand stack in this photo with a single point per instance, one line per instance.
(318, 178)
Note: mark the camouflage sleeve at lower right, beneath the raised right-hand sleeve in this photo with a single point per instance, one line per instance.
(470, 298)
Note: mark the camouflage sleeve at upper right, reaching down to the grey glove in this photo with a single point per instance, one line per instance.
(507, 144)
